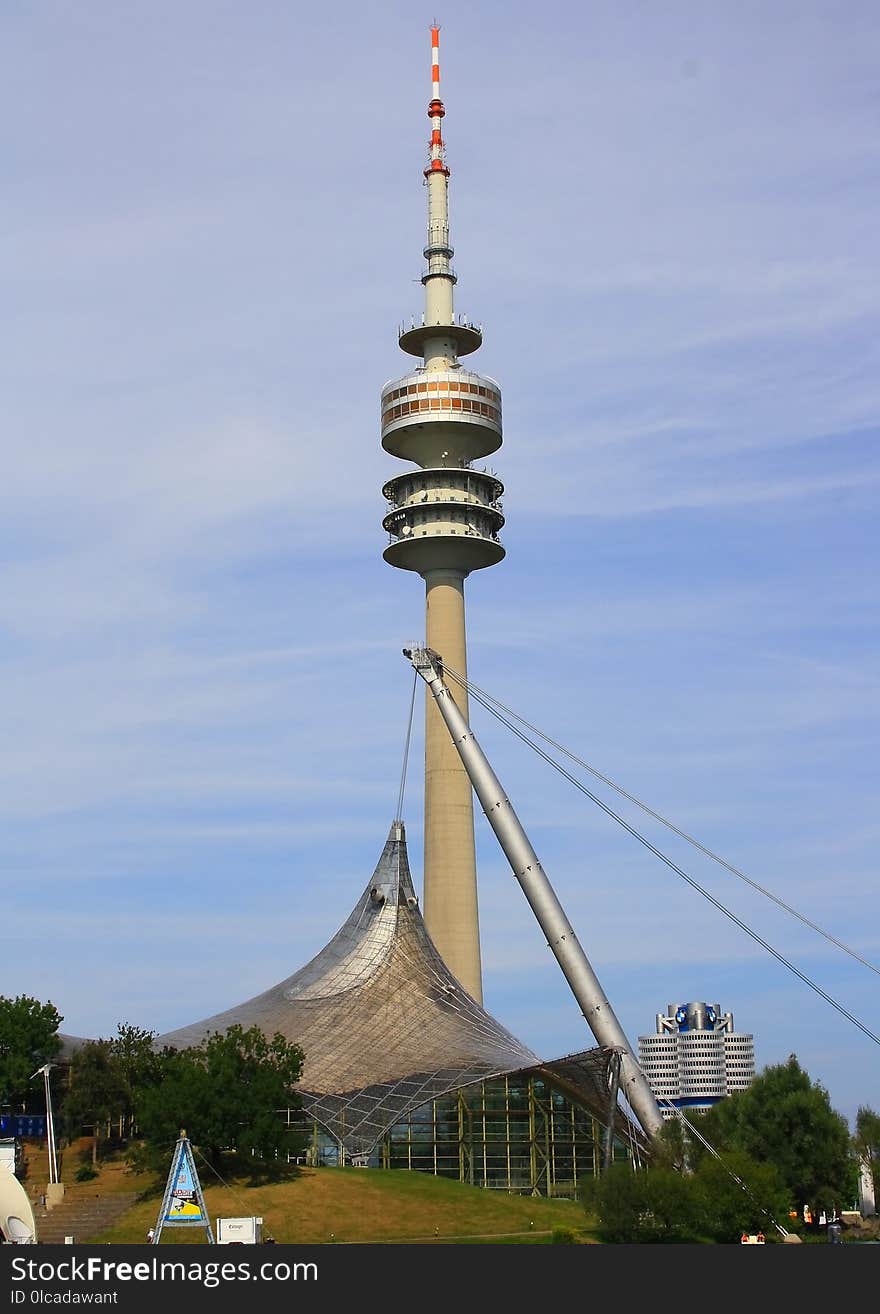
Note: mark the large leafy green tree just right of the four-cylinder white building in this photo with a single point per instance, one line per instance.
(787, 1120)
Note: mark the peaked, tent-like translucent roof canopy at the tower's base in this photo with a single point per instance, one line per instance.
(387, 1030)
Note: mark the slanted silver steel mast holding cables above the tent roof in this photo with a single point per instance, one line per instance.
(540, 895)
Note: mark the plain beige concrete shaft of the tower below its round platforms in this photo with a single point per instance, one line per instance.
(451, 907)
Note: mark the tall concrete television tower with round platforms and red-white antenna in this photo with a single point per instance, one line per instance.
(443, 524)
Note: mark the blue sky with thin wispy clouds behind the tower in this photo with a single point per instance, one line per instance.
(665, 219)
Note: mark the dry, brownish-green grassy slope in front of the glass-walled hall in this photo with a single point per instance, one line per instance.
(355, 1207)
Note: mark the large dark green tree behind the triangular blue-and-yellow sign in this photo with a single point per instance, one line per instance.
(229, 1095)
